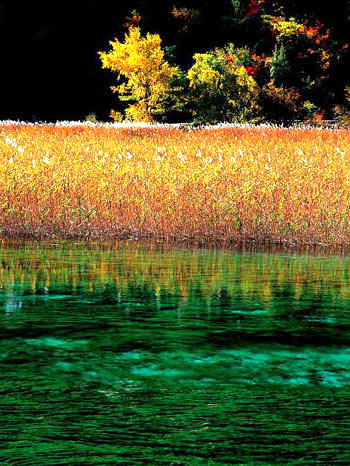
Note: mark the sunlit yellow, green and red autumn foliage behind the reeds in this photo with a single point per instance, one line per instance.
(280, 69)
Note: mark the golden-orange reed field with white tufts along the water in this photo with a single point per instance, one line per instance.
(229, 184)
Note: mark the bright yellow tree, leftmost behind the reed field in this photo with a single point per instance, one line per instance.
(147, 75)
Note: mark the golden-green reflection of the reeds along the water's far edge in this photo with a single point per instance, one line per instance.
(182, 273)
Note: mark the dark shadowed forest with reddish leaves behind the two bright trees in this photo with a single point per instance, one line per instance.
(296, 51)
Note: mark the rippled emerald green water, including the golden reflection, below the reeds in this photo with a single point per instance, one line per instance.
(134, 354)
